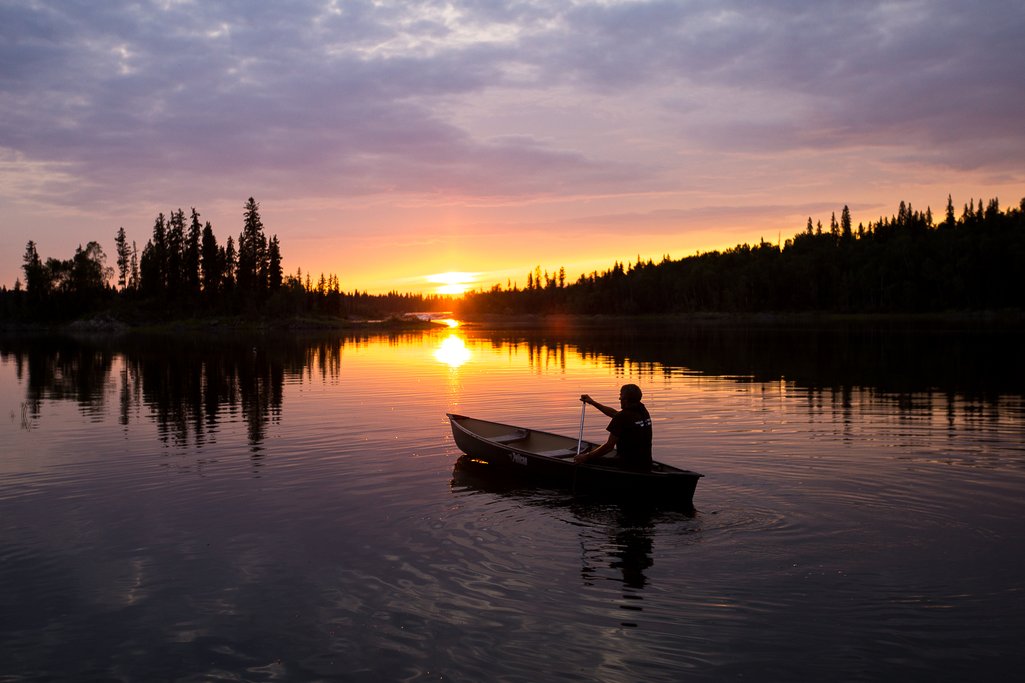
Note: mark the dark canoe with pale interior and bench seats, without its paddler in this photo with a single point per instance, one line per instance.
(548, 458)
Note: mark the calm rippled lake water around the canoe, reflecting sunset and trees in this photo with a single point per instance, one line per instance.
(265, 508)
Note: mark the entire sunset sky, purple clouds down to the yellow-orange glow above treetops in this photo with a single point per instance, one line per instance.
(390, 142)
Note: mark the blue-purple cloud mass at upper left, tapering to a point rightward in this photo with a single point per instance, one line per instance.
(302, 100)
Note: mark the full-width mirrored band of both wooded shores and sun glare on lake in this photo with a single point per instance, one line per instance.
(963, 381)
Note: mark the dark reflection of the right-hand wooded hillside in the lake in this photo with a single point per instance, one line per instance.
(904, 369)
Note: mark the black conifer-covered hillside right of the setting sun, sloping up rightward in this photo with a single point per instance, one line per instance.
(907, 263)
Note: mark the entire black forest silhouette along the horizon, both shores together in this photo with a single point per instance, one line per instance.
(905, 264)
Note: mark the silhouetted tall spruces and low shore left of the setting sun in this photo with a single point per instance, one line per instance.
(183, 270)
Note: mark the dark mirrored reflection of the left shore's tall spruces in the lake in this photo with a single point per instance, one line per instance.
(188, 386)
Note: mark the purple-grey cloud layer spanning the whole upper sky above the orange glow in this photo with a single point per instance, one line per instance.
(485, 102)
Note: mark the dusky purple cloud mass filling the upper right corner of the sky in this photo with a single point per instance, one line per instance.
(776, 76)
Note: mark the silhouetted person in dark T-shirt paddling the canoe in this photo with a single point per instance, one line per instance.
(630, 431)
